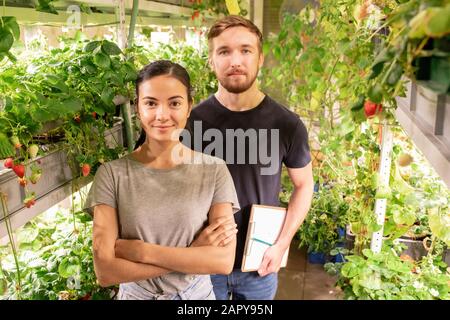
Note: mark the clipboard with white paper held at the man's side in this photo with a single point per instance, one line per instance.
(264, 227)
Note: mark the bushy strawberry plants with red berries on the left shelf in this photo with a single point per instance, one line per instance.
(67, 85)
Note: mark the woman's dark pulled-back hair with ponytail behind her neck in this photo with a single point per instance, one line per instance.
(161, 68)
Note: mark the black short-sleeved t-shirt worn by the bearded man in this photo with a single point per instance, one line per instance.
(254, 143)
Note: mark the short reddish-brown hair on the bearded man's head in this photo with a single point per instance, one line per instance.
(230, 22)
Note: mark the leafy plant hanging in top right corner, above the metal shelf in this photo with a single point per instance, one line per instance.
(417, 46)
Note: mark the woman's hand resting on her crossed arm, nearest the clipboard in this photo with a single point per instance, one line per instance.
(217, 234)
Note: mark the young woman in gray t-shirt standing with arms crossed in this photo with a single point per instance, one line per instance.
(151, 207)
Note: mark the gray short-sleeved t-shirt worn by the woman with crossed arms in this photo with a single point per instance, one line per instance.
(168, 207)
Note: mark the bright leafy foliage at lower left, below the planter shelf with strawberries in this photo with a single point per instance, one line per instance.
(55, 260)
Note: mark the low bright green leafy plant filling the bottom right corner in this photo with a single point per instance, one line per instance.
(389, 276)
